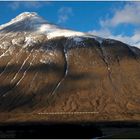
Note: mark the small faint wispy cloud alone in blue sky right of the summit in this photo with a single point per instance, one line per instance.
(64, 13)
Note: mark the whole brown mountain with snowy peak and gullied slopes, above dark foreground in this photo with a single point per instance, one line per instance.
(55, 74)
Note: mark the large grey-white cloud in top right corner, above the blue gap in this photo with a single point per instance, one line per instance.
(130, 13)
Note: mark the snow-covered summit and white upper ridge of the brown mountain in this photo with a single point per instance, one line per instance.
(31, 22)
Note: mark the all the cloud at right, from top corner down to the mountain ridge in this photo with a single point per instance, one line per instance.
(129, 14)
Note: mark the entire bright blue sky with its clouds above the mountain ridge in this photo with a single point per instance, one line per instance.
(119, 20)
